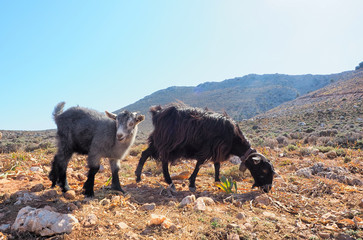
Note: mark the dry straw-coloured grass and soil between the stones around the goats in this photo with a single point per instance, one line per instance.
(295, 209)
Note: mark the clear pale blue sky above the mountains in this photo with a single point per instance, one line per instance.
(108, 54)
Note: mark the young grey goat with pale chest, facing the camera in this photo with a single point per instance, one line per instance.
(85, 131)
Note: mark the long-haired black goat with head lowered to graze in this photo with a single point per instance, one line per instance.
(192, 133)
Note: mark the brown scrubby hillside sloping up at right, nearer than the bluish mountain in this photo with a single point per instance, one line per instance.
(330, 116)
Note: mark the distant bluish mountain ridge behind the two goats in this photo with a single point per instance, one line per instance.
(241, 97)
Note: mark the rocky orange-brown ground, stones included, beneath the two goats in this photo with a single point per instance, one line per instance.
(317, 195)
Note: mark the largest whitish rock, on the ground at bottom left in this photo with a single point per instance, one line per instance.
(44, 222)
